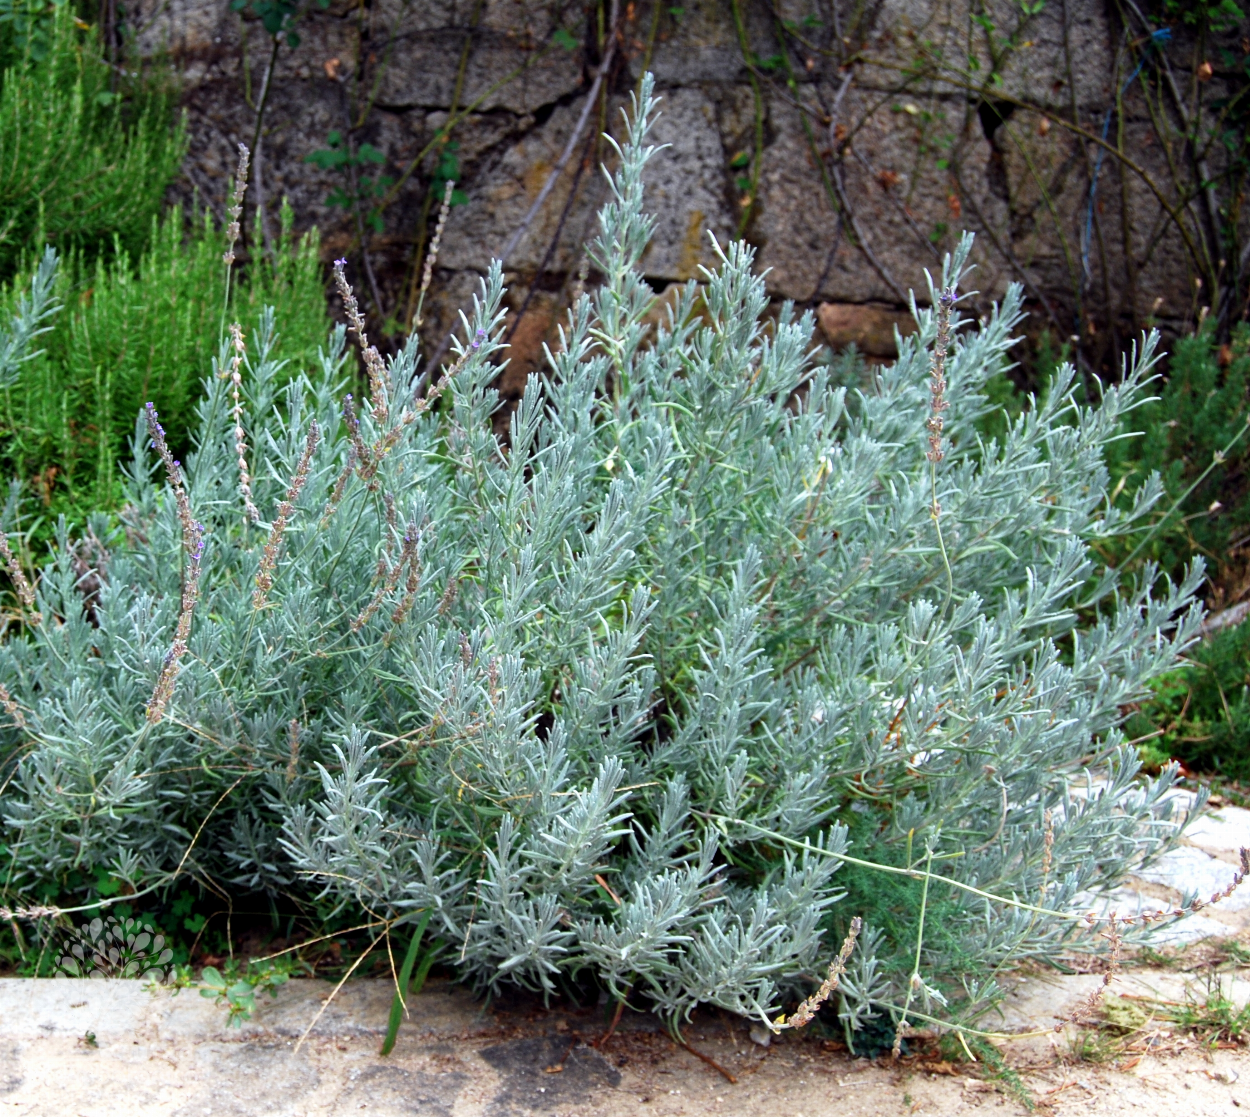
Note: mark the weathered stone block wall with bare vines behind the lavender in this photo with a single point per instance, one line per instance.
(877, 132)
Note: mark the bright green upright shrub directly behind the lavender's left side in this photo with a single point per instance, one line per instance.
(133, 332)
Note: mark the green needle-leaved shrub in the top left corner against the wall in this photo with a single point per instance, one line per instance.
(81, 163)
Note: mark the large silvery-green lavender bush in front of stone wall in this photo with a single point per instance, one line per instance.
(573, 690)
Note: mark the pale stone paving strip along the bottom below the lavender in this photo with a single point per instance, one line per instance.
(172, 1056)
